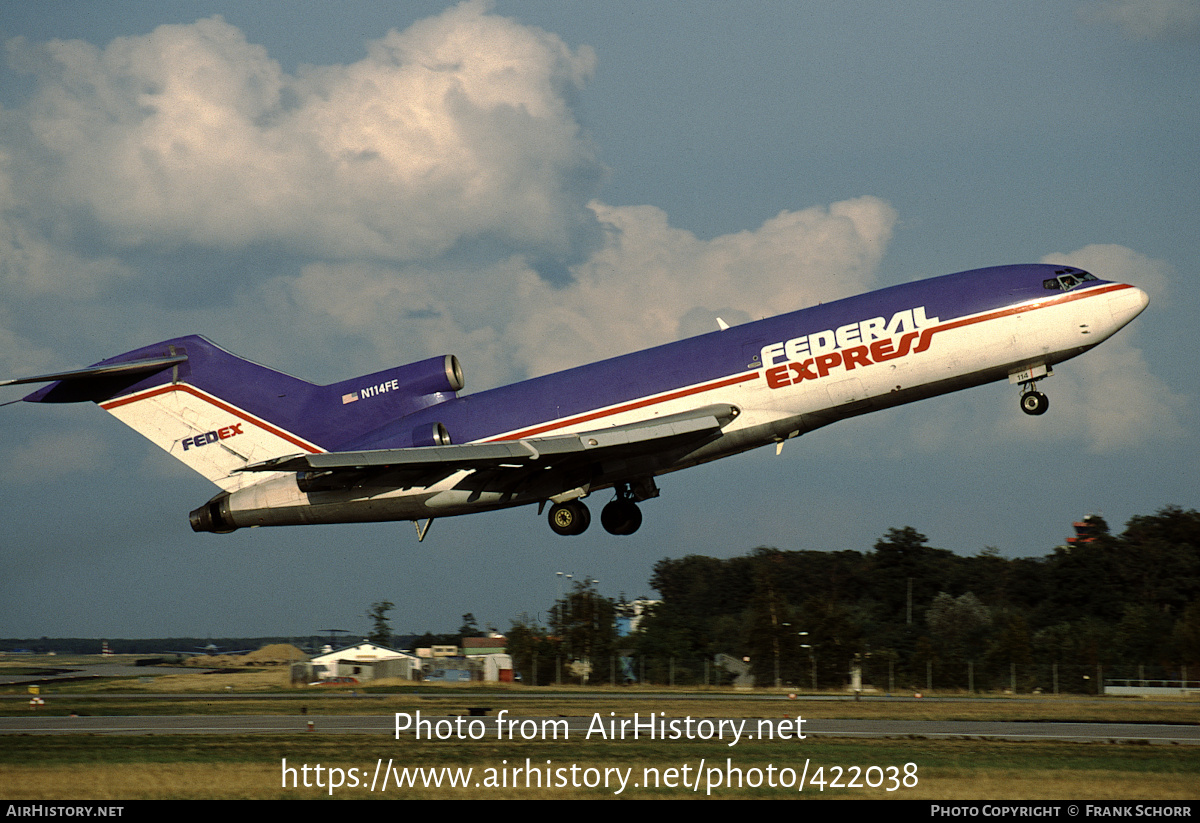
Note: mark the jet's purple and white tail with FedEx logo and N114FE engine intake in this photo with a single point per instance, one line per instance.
(217, 412)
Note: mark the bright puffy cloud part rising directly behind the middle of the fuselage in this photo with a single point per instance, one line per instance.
(637, 291)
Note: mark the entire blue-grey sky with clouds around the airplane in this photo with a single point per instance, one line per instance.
(533, 185)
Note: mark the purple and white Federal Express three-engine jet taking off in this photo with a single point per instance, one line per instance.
(404, 444)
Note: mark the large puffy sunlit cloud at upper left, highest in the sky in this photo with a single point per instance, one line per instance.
(457, 130)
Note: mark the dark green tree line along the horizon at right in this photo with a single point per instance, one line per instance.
(905, 615)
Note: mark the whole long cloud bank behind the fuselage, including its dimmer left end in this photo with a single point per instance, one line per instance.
(637, 291)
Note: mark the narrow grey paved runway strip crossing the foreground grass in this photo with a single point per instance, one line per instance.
(578, 728)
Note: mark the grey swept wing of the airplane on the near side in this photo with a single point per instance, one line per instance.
(427, 465)
